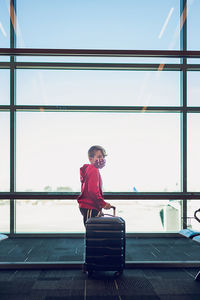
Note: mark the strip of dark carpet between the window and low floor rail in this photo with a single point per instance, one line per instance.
(69, 249)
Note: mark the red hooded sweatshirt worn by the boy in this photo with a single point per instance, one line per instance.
(91, 196)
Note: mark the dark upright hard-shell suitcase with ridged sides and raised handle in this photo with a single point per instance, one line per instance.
(105, 244)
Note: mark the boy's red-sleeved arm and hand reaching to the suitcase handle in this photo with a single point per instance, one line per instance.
(94, 189)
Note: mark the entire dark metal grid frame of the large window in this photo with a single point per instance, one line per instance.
(183, 67)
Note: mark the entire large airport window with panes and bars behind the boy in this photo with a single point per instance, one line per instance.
(142, 104)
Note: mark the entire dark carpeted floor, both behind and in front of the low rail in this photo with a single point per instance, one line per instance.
(73, 284)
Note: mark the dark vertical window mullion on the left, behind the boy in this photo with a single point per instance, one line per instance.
(12, 117)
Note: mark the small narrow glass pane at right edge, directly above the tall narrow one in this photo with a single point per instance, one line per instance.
(193, 90)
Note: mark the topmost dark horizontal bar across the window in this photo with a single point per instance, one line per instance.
(106, 53)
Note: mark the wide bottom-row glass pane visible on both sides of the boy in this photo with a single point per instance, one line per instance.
(63, 216)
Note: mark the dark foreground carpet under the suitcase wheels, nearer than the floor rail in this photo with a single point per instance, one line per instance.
(165, 284)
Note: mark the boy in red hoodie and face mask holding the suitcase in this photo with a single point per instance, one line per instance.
(91, 198)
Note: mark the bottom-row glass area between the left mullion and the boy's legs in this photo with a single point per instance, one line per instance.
(45, 216)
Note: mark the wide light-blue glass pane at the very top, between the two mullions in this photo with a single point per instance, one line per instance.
(113, 24)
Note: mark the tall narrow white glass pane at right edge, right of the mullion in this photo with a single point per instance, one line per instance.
(193, 149)
